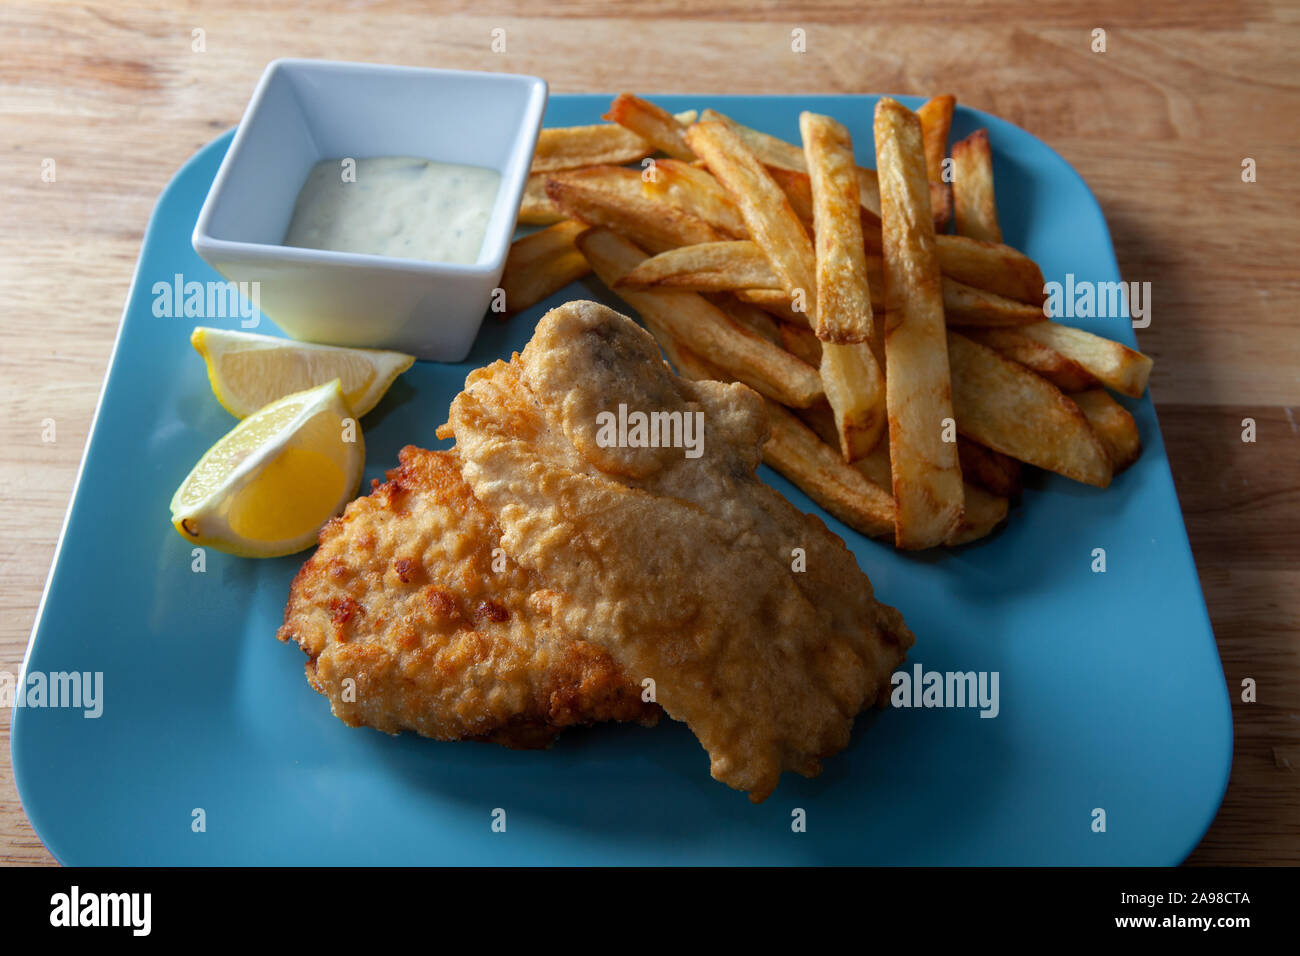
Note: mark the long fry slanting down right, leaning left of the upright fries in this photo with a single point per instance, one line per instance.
(766, 210)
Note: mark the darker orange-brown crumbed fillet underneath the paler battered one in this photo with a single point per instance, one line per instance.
(439, 635)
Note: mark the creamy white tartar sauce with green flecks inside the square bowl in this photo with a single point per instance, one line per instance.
(396, 206)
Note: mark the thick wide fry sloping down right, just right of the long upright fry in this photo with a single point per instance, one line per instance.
(1009, 409)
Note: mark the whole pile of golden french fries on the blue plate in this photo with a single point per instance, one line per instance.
(908, 371)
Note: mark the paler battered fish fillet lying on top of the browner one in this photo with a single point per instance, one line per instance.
(753, 620)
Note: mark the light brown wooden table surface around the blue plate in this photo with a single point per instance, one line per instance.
(1159, 126)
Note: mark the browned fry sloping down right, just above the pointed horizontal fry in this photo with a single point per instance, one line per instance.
(612, 197)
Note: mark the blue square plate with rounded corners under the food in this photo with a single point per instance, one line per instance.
(1111, 690)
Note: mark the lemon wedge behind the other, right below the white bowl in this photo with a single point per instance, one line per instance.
(250, 371)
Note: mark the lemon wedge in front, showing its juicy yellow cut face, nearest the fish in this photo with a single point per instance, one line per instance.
(274, 481)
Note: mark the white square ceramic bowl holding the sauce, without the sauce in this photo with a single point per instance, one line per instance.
(306, 111)
